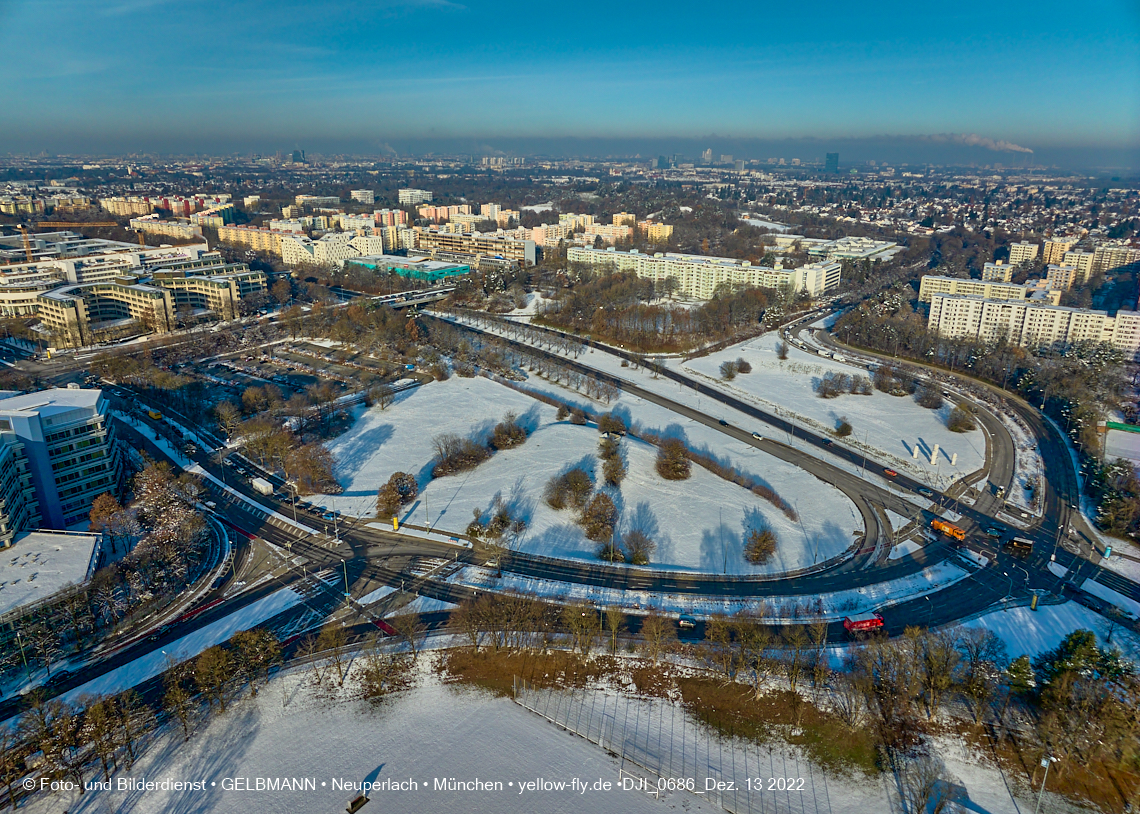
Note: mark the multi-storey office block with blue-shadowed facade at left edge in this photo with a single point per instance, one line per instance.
(70, 451)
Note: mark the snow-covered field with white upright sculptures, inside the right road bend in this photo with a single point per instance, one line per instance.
(894, 426)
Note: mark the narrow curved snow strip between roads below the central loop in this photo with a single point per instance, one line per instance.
(833, 606)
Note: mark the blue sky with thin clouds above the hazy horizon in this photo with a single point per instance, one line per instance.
(253, 75)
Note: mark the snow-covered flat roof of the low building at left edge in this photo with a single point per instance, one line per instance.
(40, 564)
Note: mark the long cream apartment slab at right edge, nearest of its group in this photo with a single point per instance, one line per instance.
(1032, 323)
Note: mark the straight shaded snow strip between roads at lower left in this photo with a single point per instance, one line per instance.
(188, 647)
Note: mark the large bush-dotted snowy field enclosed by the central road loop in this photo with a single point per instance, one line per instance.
(698, 525)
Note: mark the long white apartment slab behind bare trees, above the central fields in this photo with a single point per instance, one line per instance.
(699, 276)
